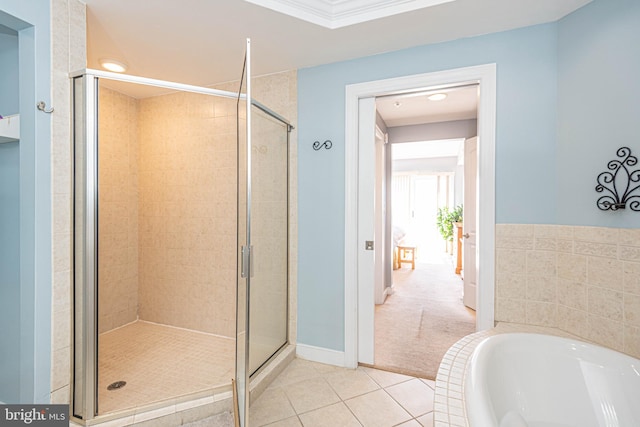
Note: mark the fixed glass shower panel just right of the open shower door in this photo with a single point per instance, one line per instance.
(269, 237)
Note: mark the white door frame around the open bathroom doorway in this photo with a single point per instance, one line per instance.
(485, 76)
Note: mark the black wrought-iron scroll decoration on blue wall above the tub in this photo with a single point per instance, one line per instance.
(620, 184)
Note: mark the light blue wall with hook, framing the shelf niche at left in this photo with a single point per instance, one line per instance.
(31, 19)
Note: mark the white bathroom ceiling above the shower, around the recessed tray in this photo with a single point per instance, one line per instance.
(202, 42)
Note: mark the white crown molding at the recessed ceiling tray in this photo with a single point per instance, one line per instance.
(341, 13)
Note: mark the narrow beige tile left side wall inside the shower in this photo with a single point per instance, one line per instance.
(118, 210)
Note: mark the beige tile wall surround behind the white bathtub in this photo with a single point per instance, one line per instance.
(584, 280)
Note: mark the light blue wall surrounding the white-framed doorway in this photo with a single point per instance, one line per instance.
(525, 169)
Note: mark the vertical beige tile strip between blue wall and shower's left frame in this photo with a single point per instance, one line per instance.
(68, 38)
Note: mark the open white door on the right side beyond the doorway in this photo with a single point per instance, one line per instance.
(469, 272)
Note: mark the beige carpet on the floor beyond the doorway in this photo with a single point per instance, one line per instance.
(425, 316)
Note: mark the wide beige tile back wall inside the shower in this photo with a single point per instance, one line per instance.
(187, 212)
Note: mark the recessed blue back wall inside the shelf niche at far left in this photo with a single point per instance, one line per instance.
(9, 227)
